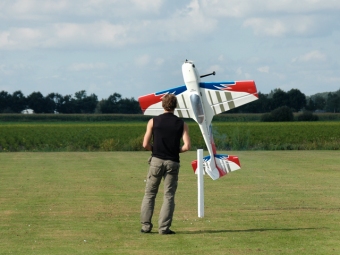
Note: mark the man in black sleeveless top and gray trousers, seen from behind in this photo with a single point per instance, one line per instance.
(167, 130)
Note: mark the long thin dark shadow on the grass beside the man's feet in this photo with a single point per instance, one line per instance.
(244, 230)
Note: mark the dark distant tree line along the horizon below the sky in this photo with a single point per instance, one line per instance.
(115, 103)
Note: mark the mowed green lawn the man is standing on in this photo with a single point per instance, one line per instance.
(280, 202)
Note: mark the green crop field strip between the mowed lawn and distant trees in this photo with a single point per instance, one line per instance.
(127, 136)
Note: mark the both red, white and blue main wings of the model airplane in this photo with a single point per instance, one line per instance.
(220, 97)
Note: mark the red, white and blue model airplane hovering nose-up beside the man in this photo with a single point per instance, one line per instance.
(201, 101)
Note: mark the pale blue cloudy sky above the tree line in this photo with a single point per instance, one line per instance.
(137, 47)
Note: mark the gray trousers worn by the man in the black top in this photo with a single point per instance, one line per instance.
(159, 169)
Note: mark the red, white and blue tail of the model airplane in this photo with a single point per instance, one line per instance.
(219, 166)
